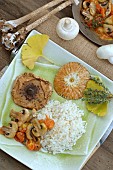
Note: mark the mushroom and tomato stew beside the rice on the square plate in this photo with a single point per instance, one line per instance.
(26, 128)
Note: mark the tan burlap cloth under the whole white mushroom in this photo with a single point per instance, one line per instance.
(80, 46)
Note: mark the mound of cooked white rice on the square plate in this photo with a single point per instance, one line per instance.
(69, 126)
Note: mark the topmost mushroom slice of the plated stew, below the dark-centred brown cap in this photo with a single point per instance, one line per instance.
(21, 117)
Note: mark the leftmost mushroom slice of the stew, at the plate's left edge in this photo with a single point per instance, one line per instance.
(10, 131)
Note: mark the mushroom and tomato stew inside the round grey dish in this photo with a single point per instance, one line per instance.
(98, 16)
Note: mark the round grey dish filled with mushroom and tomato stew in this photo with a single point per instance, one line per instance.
(95, 18)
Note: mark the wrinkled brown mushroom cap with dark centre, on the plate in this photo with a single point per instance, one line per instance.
(30, 91)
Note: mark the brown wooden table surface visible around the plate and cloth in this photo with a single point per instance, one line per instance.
(11, 9)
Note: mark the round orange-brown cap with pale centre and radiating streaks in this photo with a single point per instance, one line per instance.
(71, 80)
